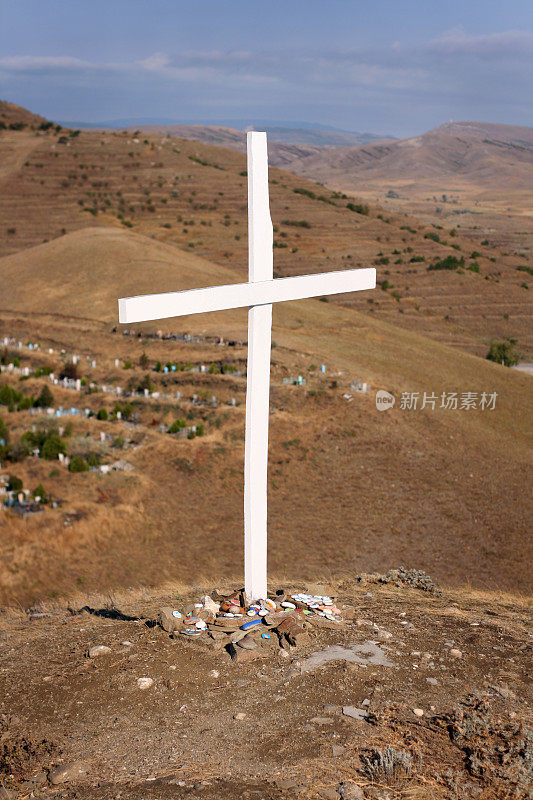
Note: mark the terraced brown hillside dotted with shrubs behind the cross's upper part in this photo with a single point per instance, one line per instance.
(193, 196)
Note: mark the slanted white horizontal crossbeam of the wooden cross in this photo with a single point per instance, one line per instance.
(239, 295)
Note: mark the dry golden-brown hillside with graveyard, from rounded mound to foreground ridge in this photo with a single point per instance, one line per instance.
(350, 486)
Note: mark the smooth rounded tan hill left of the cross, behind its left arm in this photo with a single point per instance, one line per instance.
(82, 274)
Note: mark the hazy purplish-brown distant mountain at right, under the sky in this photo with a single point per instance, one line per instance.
(474, 156)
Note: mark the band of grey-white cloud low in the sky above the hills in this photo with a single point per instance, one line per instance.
(457, 74)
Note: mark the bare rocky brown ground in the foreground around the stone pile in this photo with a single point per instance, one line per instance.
(416, 694)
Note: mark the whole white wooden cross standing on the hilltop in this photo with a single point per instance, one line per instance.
(258, 294)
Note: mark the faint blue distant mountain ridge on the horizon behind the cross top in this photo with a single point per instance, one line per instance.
(311, 133)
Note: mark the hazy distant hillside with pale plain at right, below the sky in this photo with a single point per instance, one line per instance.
(471, 175)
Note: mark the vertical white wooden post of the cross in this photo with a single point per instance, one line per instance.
(260, 268)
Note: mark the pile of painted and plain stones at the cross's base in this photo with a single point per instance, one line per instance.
(248, 630)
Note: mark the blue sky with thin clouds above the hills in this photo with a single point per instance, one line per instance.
(385, 66)
